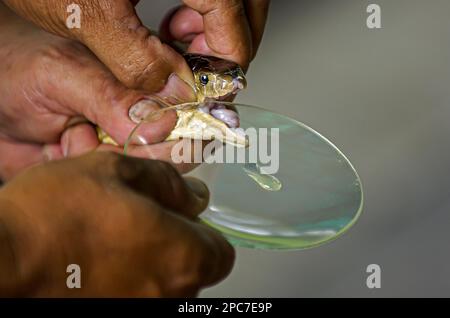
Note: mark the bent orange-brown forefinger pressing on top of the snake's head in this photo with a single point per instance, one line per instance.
(227, 32)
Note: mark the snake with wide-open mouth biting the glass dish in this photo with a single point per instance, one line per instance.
(215, 79)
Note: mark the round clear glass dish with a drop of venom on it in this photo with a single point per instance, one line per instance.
(305, 196)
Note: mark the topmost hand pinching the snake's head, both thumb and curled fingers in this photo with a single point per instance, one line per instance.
(230, 29)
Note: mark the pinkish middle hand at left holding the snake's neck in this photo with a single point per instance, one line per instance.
(49, 85)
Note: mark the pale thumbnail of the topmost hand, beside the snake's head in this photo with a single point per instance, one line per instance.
(177, 91)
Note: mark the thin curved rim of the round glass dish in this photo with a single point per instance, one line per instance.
(231, 233)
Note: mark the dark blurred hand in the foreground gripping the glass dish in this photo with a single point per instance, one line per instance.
(128, 223)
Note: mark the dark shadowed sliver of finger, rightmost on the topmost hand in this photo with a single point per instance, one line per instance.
(257, 11)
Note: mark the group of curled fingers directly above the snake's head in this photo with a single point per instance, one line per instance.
(231, 30)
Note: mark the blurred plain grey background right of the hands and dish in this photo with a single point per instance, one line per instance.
(383, 97)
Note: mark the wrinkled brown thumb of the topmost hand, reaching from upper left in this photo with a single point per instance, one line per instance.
(113, 31)
